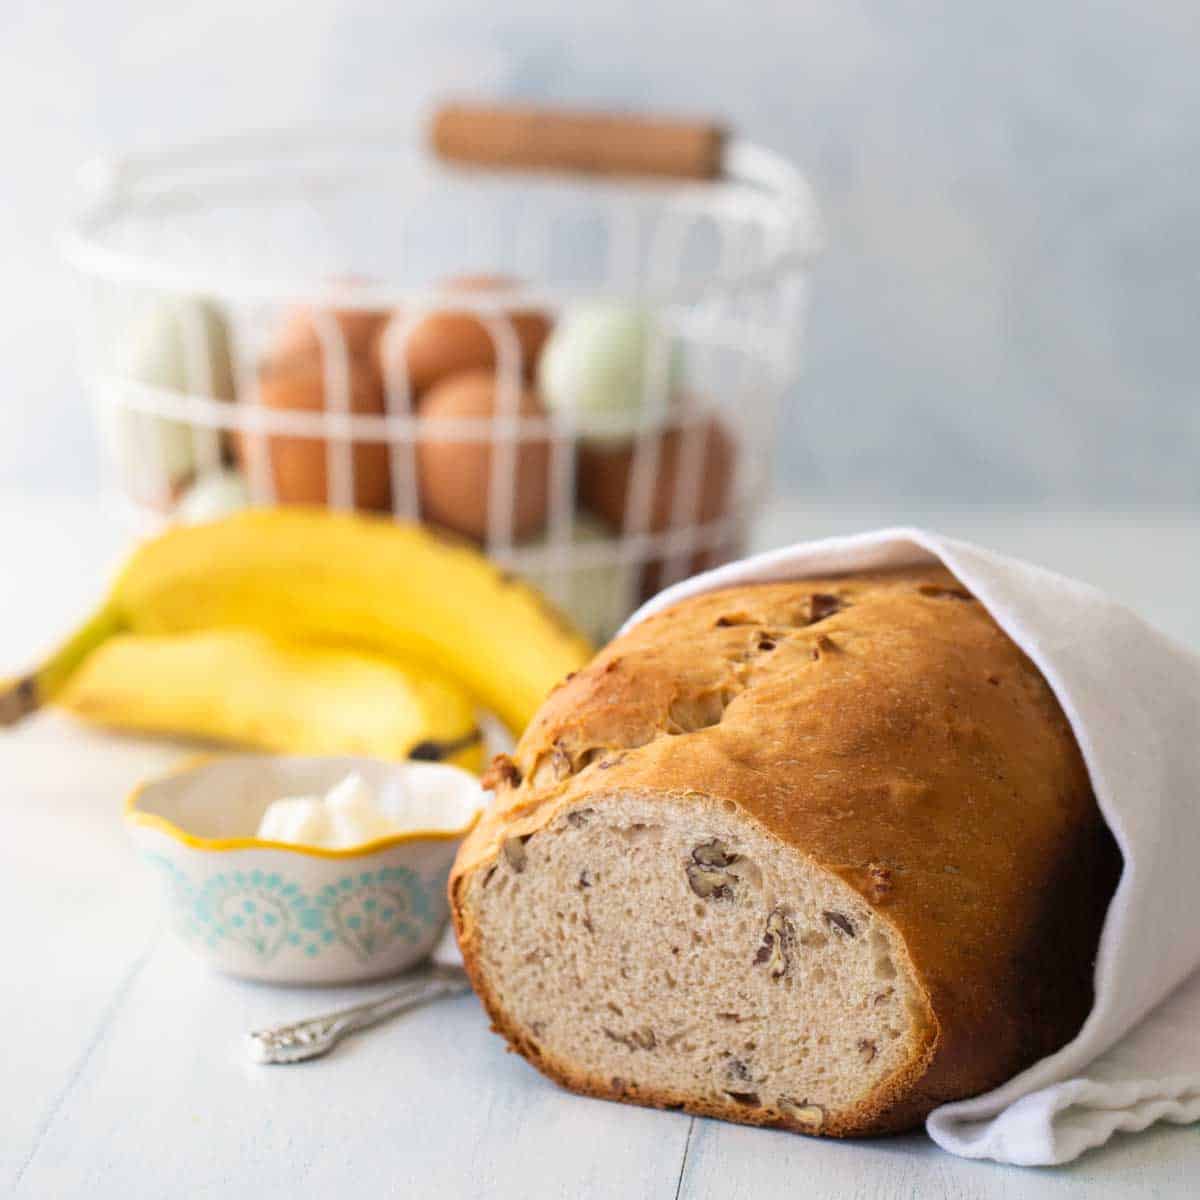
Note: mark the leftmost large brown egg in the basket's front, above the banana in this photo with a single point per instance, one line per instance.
(297, 383)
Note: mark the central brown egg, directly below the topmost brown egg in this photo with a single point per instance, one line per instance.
(455, 476)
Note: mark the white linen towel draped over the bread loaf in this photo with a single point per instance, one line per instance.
(1133, 700)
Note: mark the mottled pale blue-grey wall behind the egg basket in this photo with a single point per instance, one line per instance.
(1007, 307)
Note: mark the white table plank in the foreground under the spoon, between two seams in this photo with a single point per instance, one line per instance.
(430, 1106)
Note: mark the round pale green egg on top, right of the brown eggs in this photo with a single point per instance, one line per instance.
(613, 368)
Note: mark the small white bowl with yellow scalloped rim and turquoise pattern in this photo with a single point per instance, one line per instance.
(284, 914)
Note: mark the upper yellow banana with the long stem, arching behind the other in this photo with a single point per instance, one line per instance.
(311, 575)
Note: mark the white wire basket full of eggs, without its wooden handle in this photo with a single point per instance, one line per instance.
(581, 375)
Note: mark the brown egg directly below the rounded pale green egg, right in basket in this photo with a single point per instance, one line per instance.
(605, 476)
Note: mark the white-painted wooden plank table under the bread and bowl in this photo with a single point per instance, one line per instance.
(122, 1069)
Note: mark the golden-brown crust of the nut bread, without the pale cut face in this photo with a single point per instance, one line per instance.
(885, 728)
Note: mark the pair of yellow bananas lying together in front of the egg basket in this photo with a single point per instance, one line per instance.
(309, 632)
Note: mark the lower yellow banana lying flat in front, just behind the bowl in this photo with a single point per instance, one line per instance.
(253, 691)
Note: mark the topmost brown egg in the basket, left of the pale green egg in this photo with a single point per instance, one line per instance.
(448, 343)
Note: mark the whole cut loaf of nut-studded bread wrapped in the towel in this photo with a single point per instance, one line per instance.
(818, 855)
